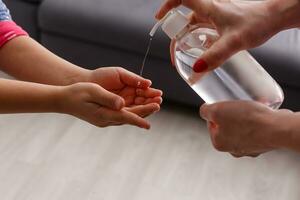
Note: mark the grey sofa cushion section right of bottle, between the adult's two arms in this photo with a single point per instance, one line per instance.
(280, 57)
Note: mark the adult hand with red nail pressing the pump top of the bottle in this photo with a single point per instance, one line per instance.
(240, 24)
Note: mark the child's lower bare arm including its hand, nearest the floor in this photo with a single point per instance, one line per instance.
(87, 101)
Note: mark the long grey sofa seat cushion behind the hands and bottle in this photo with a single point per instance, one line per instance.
(125, 25)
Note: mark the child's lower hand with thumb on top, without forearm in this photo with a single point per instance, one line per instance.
(96, 105)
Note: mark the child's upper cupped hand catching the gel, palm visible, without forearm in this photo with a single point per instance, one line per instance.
(134, 89)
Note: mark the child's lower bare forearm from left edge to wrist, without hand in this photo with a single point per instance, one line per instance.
(25, 97)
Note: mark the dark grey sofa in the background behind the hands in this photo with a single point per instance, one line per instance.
(94, 33)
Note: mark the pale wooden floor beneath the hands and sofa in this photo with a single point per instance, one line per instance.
(57, 157)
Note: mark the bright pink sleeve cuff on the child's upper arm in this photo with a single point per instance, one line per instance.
(9, 30)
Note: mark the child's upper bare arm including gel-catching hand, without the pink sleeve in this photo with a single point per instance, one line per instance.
(27, 60)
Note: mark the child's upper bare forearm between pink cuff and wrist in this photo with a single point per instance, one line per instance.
(27, 60)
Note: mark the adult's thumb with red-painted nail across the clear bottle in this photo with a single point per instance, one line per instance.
(217, 54)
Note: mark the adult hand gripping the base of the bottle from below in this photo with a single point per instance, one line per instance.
(245, 128)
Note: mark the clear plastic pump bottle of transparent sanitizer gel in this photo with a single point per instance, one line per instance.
(241, 77)
